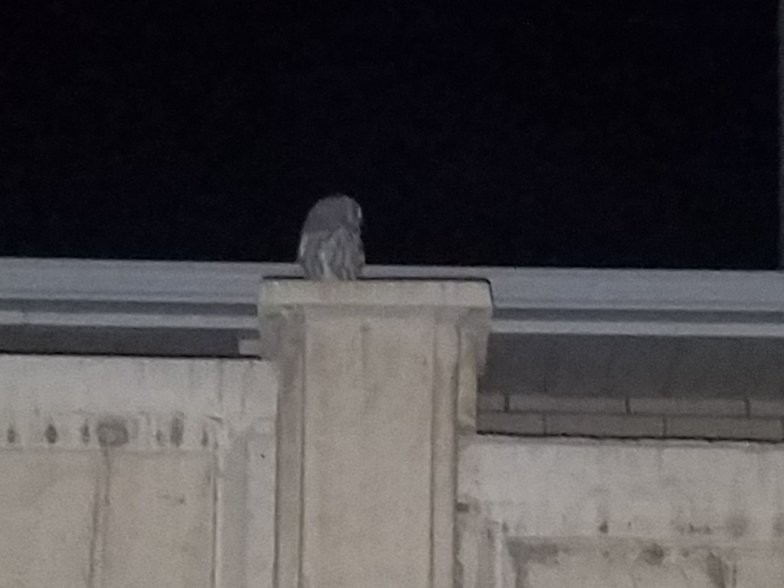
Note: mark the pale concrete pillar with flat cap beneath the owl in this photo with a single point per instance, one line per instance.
(376, 377)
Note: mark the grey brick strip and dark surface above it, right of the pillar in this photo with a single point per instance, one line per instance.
(630, 387)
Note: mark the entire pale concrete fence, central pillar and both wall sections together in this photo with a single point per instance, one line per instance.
(351, 460)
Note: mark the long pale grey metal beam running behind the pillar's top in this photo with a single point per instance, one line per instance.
(159, 294)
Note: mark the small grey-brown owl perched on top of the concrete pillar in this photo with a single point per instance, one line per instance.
(330, 246)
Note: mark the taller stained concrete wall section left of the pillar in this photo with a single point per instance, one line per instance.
(133, 472)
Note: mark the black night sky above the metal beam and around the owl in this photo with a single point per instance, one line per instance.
(574, 133)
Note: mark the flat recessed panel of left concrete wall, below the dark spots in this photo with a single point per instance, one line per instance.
(90, 518)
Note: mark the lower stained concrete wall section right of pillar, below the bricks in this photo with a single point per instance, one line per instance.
(541, 514)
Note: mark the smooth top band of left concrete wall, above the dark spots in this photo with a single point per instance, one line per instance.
(238, 389)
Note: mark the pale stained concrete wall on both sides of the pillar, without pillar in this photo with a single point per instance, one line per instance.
(161, 472)
